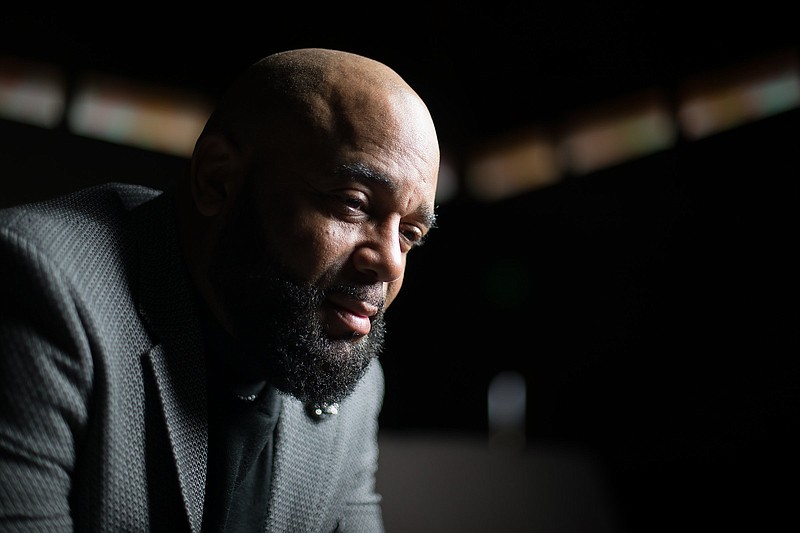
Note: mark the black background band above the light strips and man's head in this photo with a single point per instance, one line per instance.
(483, 69)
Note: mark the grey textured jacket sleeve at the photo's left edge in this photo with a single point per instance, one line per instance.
(45, 376)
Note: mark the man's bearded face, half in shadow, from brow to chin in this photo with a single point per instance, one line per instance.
(314, 252)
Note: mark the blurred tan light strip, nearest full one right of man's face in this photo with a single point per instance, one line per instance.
(512, 166)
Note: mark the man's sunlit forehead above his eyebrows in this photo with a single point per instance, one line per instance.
(379, 138)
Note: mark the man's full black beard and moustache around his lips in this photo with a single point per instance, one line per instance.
(277, 322)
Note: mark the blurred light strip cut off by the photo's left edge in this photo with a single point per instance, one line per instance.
(31, 92)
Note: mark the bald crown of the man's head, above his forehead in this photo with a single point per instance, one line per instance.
(286, 97)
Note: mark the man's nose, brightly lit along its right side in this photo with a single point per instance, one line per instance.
(379, 255)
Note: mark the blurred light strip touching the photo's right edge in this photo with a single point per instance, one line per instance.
(721, 100)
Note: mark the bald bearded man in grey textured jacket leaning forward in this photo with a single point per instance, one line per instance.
(205, 359)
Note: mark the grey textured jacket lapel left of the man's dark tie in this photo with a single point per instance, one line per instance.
(167, 305)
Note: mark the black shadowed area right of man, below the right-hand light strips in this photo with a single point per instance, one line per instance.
(650, 308)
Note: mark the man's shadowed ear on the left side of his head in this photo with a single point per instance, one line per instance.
(217, 171)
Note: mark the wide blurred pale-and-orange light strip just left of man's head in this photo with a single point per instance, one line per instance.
(145, 116)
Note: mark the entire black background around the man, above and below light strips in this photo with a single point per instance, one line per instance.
(651, 306)
